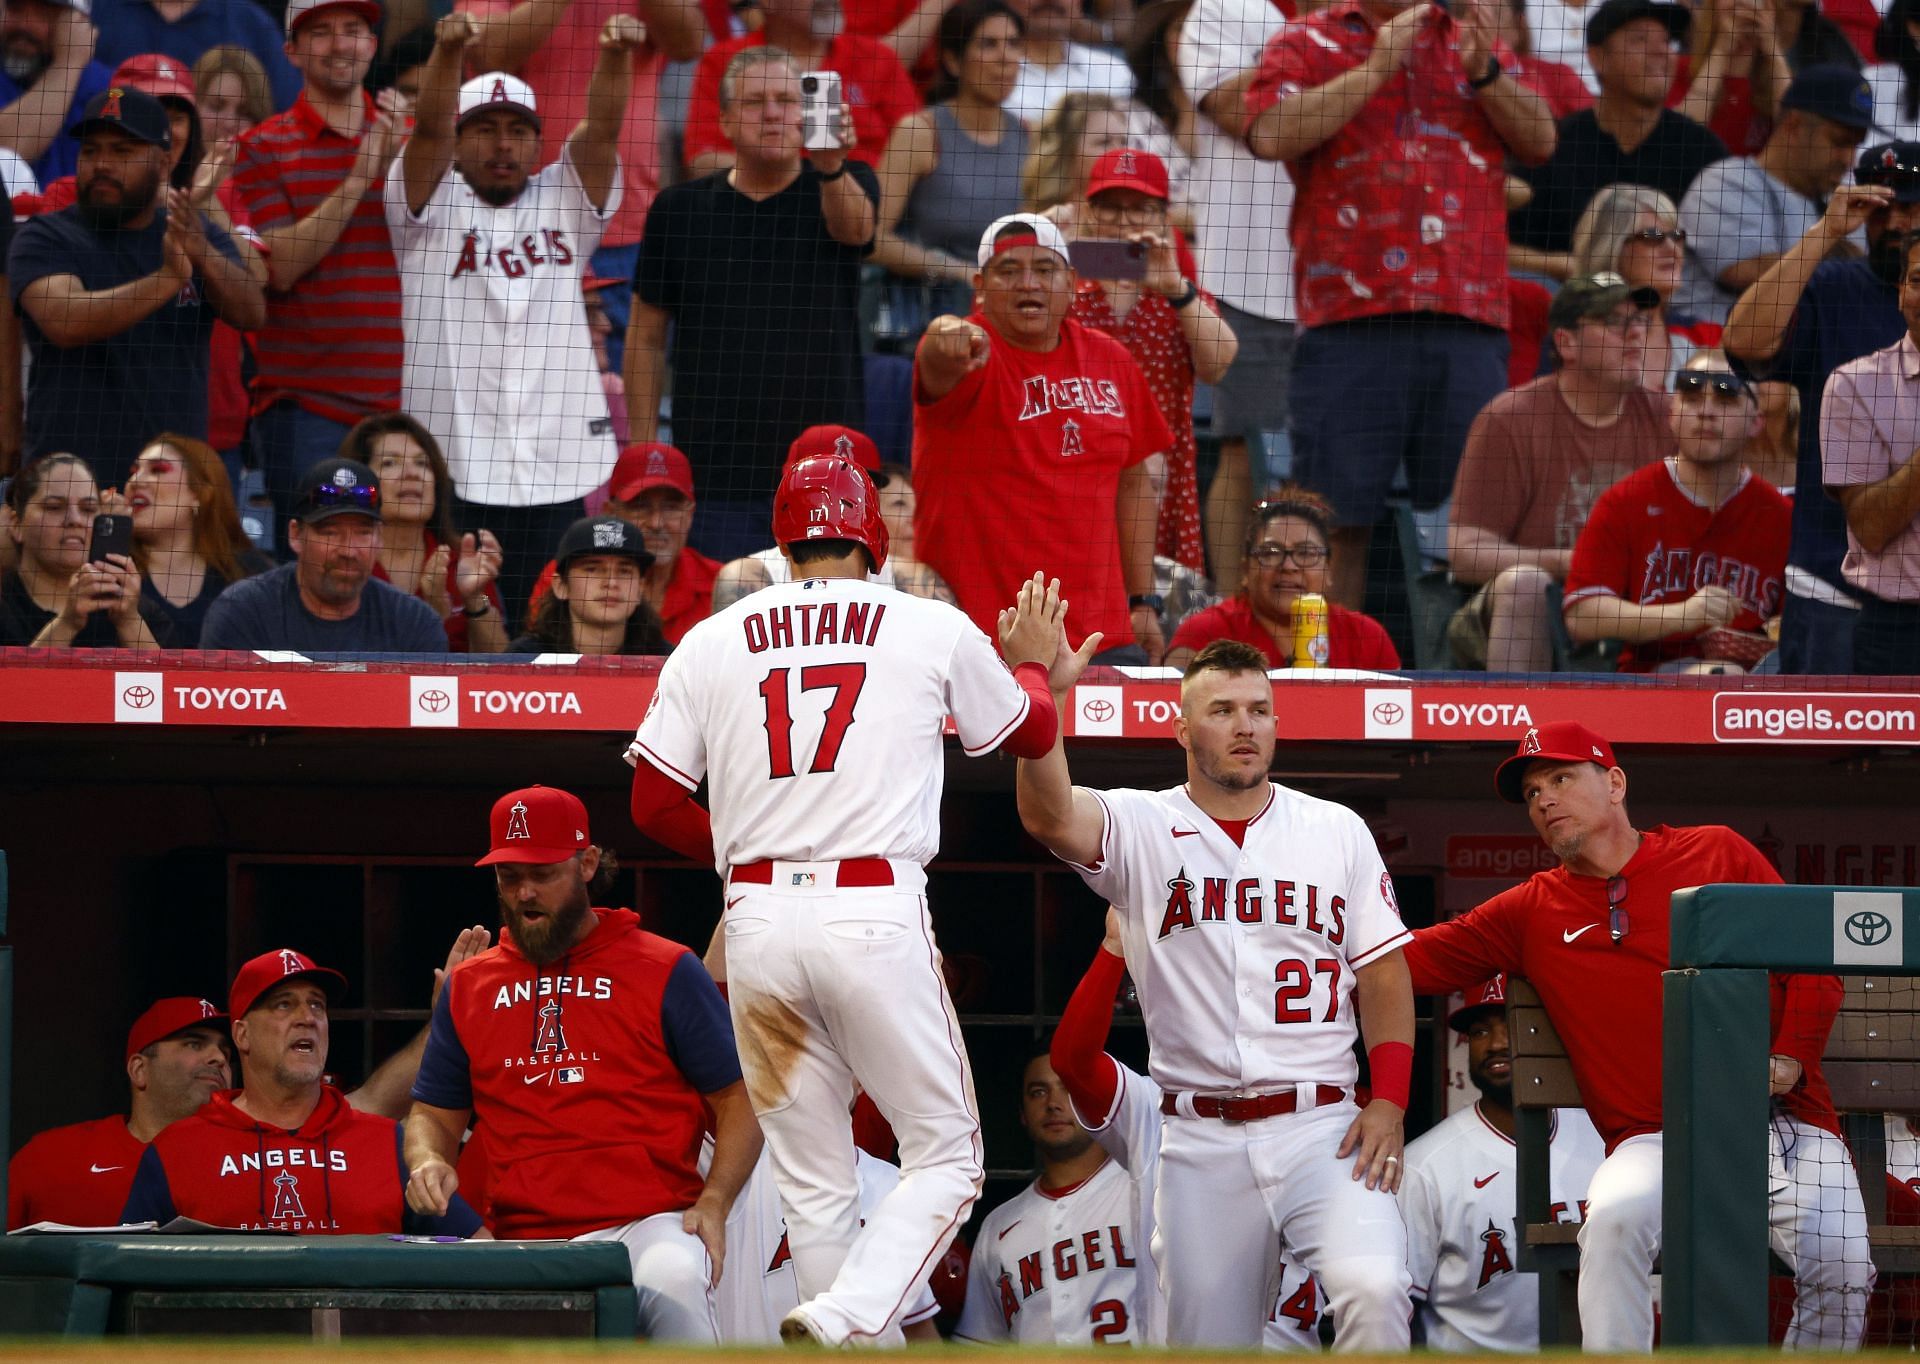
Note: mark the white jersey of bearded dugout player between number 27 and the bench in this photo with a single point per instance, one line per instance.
(1460, 1204)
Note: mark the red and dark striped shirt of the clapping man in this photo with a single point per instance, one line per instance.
(333, 341)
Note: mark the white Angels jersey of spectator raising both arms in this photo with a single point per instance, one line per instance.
(500, 362)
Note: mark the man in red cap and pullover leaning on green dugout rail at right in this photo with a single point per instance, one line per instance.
(1593, 938)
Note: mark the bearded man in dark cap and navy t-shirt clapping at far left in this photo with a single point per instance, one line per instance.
(122, 291)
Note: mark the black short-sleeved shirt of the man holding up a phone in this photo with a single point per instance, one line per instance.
(767, 324)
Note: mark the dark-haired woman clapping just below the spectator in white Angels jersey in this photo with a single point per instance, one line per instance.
(421, 550)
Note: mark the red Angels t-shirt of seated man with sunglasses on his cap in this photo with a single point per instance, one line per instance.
(1650, 543)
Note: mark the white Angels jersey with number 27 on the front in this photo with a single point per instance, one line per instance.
(1245, 956)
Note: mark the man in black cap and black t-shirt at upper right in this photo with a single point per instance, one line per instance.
(1629, 137)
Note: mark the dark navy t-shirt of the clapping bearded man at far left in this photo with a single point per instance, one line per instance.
(108, 399)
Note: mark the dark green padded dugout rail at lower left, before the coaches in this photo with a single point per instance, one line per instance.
(320, 1288)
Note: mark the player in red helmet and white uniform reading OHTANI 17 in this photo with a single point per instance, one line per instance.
(817, 710)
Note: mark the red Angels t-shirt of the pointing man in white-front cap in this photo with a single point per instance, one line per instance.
(1017, 472)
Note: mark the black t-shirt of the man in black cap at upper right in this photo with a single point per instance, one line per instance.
(1589, 160)
